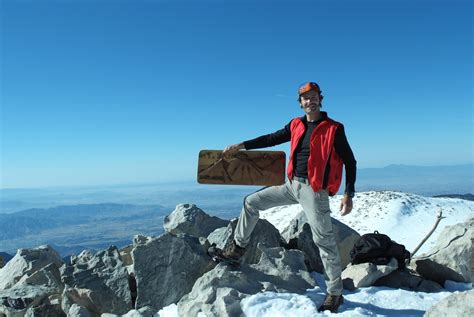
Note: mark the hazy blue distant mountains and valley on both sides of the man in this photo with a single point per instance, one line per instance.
(95, 217)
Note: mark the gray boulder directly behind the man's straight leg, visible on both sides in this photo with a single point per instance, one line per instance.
(298, 236)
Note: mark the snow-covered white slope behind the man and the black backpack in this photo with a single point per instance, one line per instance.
(404, 217)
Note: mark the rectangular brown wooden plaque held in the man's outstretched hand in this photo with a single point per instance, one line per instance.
(265, 168)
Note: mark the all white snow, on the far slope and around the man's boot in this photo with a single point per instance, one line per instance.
(406, 218)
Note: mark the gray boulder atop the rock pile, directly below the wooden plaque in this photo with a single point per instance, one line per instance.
(189, 219)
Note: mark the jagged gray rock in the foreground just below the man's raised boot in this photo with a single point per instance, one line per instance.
(219, 292)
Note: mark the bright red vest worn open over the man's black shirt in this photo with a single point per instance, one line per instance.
(322, 154)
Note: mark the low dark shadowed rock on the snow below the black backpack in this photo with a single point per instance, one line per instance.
(407, 280)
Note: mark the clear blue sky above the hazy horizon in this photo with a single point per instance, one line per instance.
(106, 92)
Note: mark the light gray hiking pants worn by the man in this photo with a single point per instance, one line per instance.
(316, 208)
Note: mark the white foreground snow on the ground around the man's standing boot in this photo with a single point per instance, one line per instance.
(368, 301)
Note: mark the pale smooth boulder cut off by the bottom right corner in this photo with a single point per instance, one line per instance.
(457, 304)
